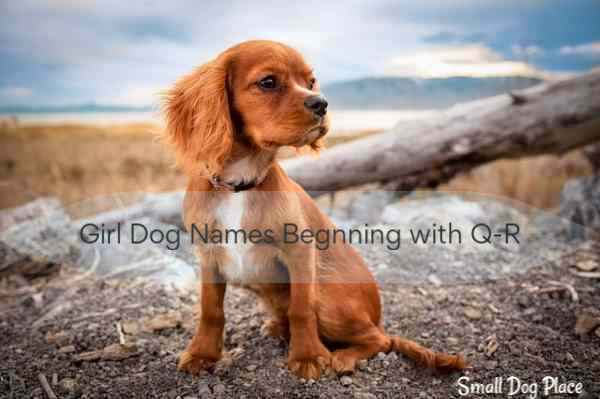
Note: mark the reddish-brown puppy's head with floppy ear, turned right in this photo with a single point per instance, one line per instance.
(261, 93)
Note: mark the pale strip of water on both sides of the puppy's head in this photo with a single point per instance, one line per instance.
(341, 120)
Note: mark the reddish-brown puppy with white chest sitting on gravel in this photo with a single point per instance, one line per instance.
(226, 120)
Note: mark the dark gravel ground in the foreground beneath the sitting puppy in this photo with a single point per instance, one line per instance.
(91, 338)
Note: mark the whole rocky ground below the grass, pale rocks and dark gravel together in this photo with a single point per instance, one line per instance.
(107, 321)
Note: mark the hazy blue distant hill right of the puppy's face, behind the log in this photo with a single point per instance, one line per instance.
(409, 93)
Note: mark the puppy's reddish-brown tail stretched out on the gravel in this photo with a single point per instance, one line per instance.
(426, 357)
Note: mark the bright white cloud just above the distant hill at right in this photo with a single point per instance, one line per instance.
(474, 60)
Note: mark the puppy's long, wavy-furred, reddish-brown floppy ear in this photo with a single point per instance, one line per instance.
(198, 119)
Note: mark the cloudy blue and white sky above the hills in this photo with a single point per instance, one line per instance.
(59, 52)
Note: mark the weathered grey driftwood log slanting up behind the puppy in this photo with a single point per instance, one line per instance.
(548, 119)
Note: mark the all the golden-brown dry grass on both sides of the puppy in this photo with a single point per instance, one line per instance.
(76, 162)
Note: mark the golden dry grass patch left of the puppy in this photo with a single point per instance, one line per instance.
(77, 162)
